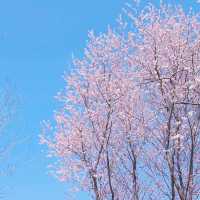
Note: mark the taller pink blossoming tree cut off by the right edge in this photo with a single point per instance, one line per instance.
(168, 63)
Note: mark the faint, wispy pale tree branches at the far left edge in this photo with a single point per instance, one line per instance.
(8, 102)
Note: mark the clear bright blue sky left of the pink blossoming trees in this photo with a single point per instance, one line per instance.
(37, 39)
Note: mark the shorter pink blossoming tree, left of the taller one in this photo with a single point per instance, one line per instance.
(99, 130)
